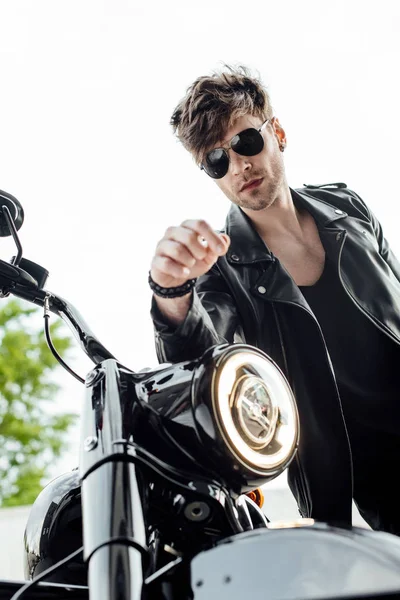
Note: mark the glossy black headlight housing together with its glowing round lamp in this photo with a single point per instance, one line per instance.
(229, 414)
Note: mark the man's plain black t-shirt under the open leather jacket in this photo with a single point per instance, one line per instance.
(365, 360)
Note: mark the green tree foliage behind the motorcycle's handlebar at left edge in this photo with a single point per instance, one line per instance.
(31, 436)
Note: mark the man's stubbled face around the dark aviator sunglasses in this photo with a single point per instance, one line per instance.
(253, 182)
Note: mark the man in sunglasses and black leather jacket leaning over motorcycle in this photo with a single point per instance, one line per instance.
(307, 276)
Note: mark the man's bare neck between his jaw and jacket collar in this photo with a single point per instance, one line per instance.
(280, 217)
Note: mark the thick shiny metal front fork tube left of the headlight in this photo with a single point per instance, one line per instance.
(114, 532)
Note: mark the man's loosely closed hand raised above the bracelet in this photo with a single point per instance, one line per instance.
(186, 252)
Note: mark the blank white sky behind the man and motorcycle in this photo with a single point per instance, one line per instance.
(87, 88)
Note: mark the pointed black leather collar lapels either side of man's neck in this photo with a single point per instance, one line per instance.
(247, 247)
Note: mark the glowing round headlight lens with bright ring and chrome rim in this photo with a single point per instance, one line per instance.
(255, 410)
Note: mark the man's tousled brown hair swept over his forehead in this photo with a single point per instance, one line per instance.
(213, 103)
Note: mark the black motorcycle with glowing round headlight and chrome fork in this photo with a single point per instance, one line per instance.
(166, 503)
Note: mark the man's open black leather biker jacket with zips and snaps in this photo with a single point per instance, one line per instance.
(248, 296)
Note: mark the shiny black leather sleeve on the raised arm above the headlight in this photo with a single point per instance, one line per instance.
(212, 319)
